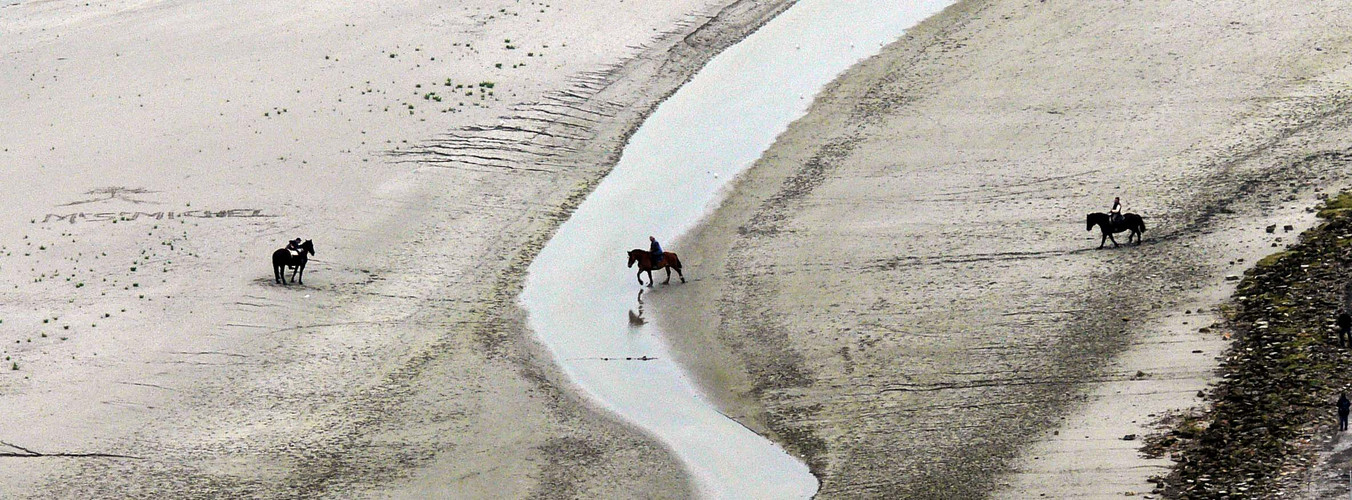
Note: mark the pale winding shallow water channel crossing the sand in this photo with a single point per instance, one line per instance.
(581, 295)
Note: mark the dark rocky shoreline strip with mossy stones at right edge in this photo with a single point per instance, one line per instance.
(1274, 407)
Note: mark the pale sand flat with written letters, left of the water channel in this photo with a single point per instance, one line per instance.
(159, 152)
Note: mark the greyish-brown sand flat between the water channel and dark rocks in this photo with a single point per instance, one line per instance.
(904, 290)
